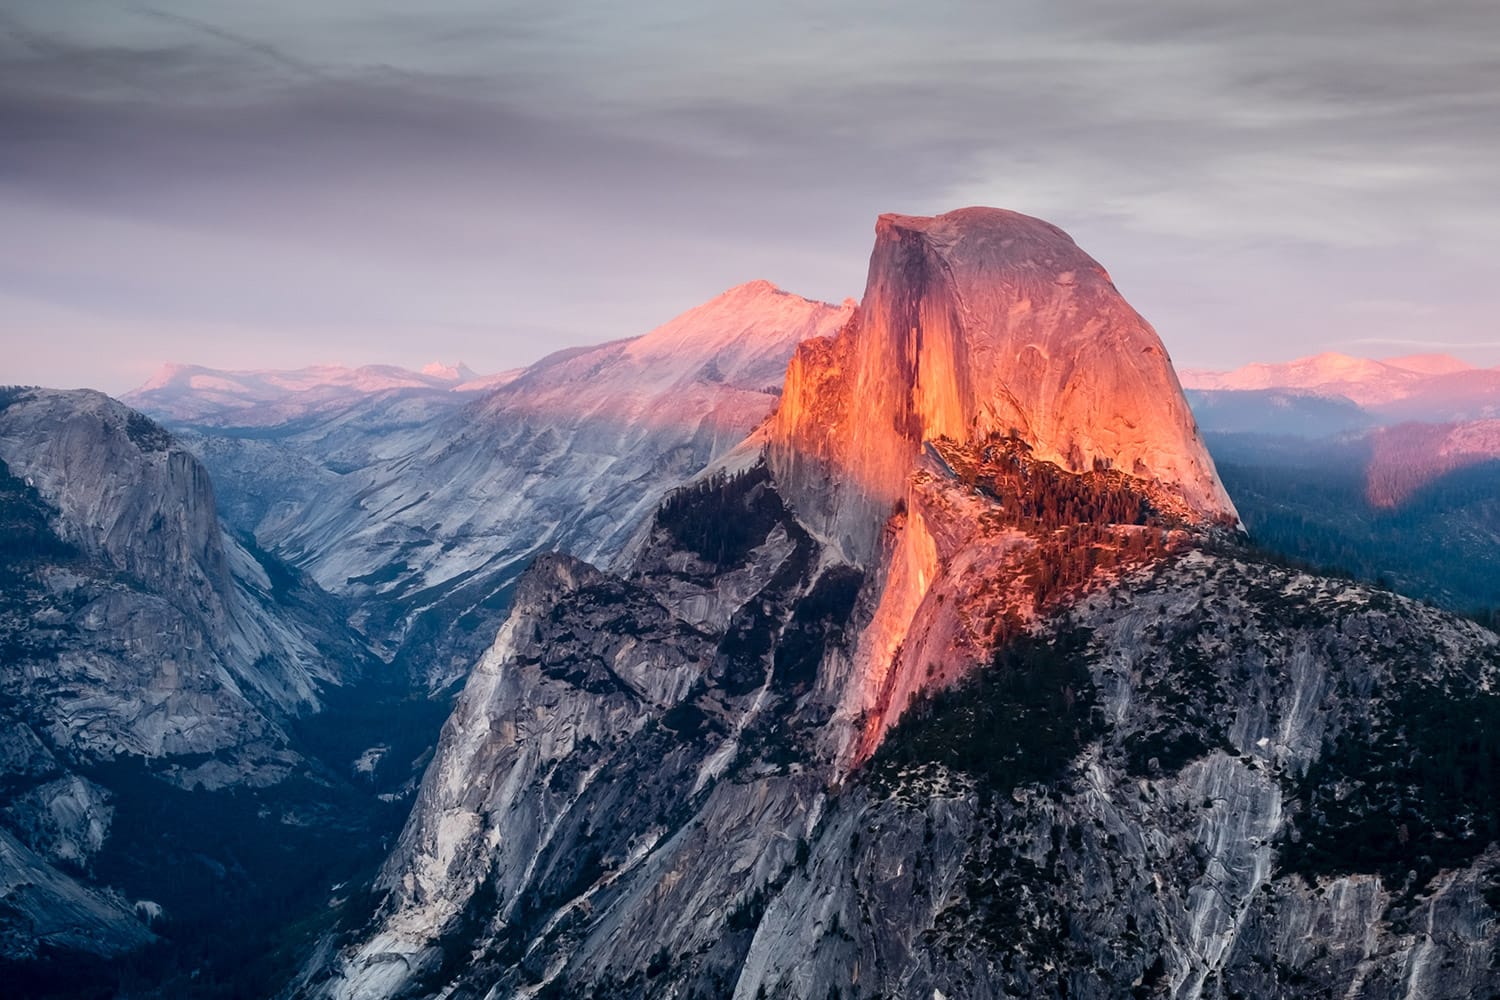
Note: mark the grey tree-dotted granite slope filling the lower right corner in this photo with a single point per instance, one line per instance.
(1216, 780)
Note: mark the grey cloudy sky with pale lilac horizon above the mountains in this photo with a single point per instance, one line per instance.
(299, 182)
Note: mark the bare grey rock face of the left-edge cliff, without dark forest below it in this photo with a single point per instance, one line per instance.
(137, 507)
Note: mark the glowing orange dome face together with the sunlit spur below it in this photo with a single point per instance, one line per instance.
(976, 323)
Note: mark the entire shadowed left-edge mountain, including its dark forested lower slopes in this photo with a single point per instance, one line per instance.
(152, 668)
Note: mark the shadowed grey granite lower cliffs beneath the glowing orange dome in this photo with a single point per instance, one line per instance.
(584, 834)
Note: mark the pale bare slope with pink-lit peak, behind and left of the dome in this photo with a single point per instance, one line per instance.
(569, 457)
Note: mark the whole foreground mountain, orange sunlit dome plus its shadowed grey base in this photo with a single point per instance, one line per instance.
(1043, 728)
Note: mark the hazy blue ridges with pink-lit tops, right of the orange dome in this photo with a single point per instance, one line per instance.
(1382, 469)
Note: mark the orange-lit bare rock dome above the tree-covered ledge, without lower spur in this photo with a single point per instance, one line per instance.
(980, 322)
